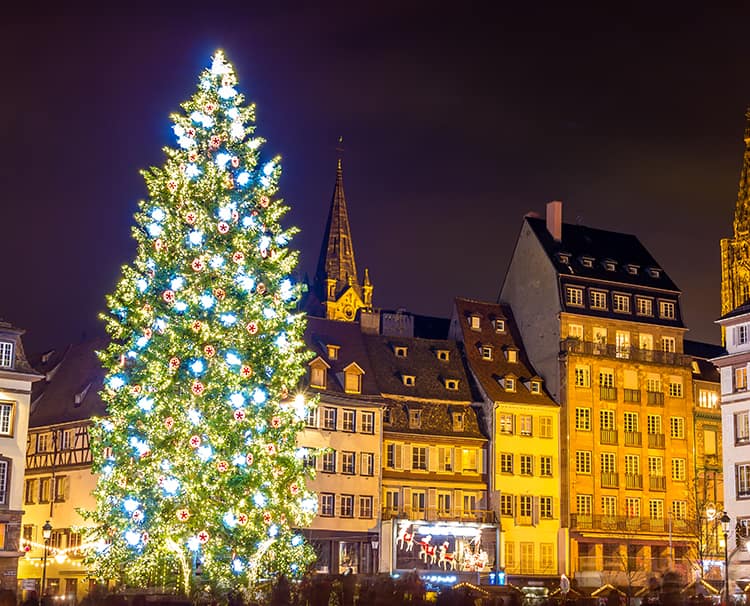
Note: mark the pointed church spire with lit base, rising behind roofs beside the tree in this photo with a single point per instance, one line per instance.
(336, 287)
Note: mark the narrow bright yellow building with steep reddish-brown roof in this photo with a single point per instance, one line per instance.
(523, 423)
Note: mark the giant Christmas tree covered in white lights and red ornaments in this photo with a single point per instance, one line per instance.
(198, 462)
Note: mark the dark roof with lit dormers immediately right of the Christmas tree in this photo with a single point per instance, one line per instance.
(348, 337)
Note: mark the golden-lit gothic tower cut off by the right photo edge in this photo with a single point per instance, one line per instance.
(735, 251)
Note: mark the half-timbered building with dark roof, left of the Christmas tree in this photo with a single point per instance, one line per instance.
(58, 480)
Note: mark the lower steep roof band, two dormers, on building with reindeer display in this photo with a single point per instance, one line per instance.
(436, 419)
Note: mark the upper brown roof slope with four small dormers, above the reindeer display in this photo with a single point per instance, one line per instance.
(421, 361)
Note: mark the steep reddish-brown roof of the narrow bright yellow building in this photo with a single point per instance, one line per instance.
(488, 372)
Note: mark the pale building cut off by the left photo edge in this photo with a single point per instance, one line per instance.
(16, 380)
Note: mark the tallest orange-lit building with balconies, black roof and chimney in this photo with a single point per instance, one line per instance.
(601, 322)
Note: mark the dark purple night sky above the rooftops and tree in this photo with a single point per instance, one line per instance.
(456, 122)
